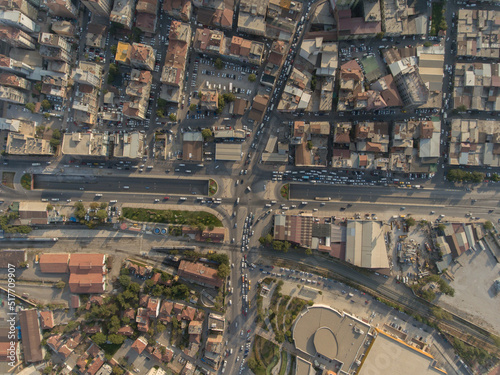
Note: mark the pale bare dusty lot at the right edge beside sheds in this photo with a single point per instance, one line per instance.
(474, 295)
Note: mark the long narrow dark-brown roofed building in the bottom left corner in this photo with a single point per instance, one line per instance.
(31, 336)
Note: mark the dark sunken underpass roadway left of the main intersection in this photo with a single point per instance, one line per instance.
(98, 184)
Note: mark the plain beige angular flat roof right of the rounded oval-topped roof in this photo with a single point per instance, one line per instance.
(388, 355)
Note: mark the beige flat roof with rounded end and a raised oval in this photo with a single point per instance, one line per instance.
(335, 336)
